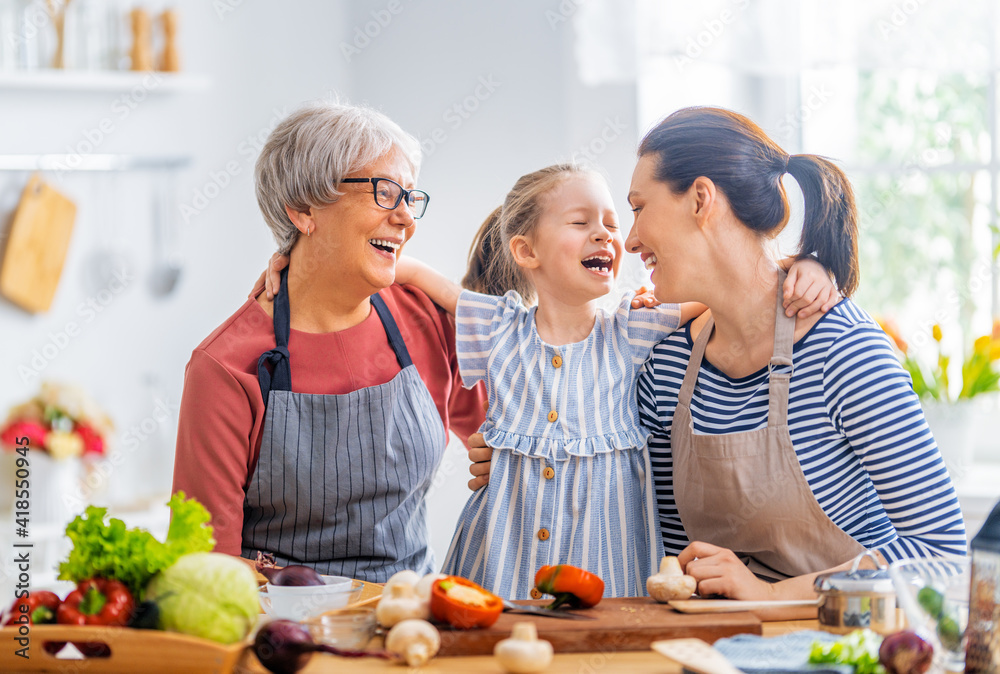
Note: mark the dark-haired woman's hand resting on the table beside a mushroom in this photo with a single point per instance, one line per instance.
(720, 572)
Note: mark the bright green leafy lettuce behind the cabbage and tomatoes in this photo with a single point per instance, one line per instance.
(133, 556)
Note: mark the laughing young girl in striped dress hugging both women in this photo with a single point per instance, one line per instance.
(570, 478)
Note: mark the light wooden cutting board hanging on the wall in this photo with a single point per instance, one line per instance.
(37, 245)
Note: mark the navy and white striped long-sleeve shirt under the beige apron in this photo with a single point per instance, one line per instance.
(855, 423)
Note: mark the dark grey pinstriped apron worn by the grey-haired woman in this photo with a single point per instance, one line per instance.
(341, 480)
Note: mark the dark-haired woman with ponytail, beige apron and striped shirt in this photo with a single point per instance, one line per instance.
(781, 447)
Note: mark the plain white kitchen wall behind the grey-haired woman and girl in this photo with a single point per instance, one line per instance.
(264, 59)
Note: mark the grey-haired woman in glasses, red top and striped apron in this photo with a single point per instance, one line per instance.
(311, 425)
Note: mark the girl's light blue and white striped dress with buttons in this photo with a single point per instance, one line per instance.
(570, 481)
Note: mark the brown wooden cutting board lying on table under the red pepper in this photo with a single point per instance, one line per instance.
(619, 625)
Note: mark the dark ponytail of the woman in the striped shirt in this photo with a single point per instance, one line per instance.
(830, 222)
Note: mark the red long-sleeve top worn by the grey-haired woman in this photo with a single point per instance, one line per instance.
(222, 411)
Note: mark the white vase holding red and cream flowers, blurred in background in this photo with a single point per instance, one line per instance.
(55, 484)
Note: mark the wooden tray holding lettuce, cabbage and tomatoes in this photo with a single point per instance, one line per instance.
(116, 649)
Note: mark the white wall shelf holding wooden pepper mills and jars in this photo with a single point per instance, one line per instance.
(105, 81)
